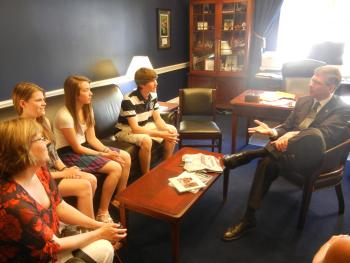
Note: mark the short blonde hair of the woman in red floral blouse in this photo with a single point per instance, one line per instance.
(16, 137)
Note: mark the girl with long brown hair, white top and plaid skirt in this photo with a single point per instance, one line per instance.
(78, 145)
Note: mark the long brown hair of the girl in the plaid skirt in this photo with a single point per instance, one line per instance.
(71, 93)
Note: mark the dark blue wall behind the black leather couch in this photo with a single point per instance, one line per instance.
(44, 41)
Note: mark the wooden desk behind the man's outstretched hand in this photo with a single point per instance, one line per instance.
(240, 108)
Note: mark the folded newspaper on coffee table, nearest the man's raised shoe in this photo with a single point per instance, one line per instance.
(201, 163)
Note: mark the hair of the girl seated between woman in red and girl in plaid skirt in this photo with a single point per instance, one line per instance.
(24, 91)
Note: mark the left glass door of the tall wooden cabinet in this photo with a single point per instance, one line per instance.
(203, 37)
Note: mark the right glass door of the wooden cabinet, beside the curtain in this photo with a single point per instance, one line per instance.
(233, 36)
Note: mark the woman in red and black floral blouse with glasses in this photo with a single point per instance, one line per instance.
(31, 208)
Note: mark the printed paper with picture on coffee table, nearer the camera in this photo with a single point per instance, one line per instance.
(186, 182)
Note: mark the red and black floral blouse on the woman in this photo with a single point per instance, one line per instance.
(27, 228)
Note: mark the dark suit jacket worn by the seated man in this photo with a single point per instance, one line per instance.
(332, 120)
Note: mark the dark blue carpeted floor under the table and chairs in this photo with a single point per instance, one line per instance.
(275, 239)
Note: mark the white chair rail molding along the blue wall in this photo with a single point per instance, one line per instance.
(100, 83)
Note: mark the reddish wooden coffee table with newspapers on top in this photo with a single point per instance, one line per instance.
(151, 195)
